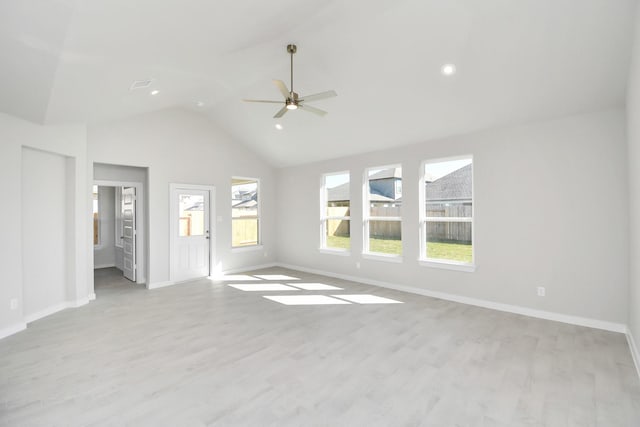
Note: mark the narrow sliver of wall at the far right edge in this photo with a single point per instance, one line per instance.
(633, 120)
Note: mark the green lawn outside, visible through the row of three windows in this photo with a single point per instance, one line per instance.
(438, 250)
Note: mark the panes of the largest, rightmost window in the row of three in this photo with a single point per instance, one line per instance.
(446, 217)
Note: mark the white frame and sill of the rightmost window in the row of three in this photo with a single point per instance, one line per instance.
(423, 219)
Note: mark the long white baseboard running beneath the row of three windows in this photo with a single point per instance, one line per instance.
(525, 311)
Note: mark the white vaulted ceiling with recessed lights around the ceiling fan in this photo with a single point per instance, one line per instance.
(518, 61)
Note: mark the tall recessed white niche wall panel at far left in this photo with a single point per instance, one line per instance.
(44, 231)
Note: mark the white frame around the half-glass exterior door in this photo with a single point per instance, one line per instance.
(173, 224)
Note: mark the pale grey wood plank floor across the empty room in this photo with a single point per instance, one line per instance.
(204, 353)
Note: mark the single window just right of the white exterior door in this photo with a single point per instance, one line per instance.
(245, 212)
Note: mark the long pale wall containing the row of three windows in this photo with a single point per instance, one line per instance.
(550, 210)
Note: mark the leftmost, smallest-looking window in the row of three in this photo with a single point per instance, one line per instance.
(335, 215)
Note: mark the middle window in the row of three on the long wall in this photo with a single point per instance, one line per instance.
(382, 211)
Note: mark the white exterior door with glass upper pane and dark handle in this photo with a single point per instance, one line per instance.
(191, 237)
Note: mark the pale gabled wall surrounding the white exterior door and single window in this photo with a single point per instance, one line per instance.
(178, 146)
